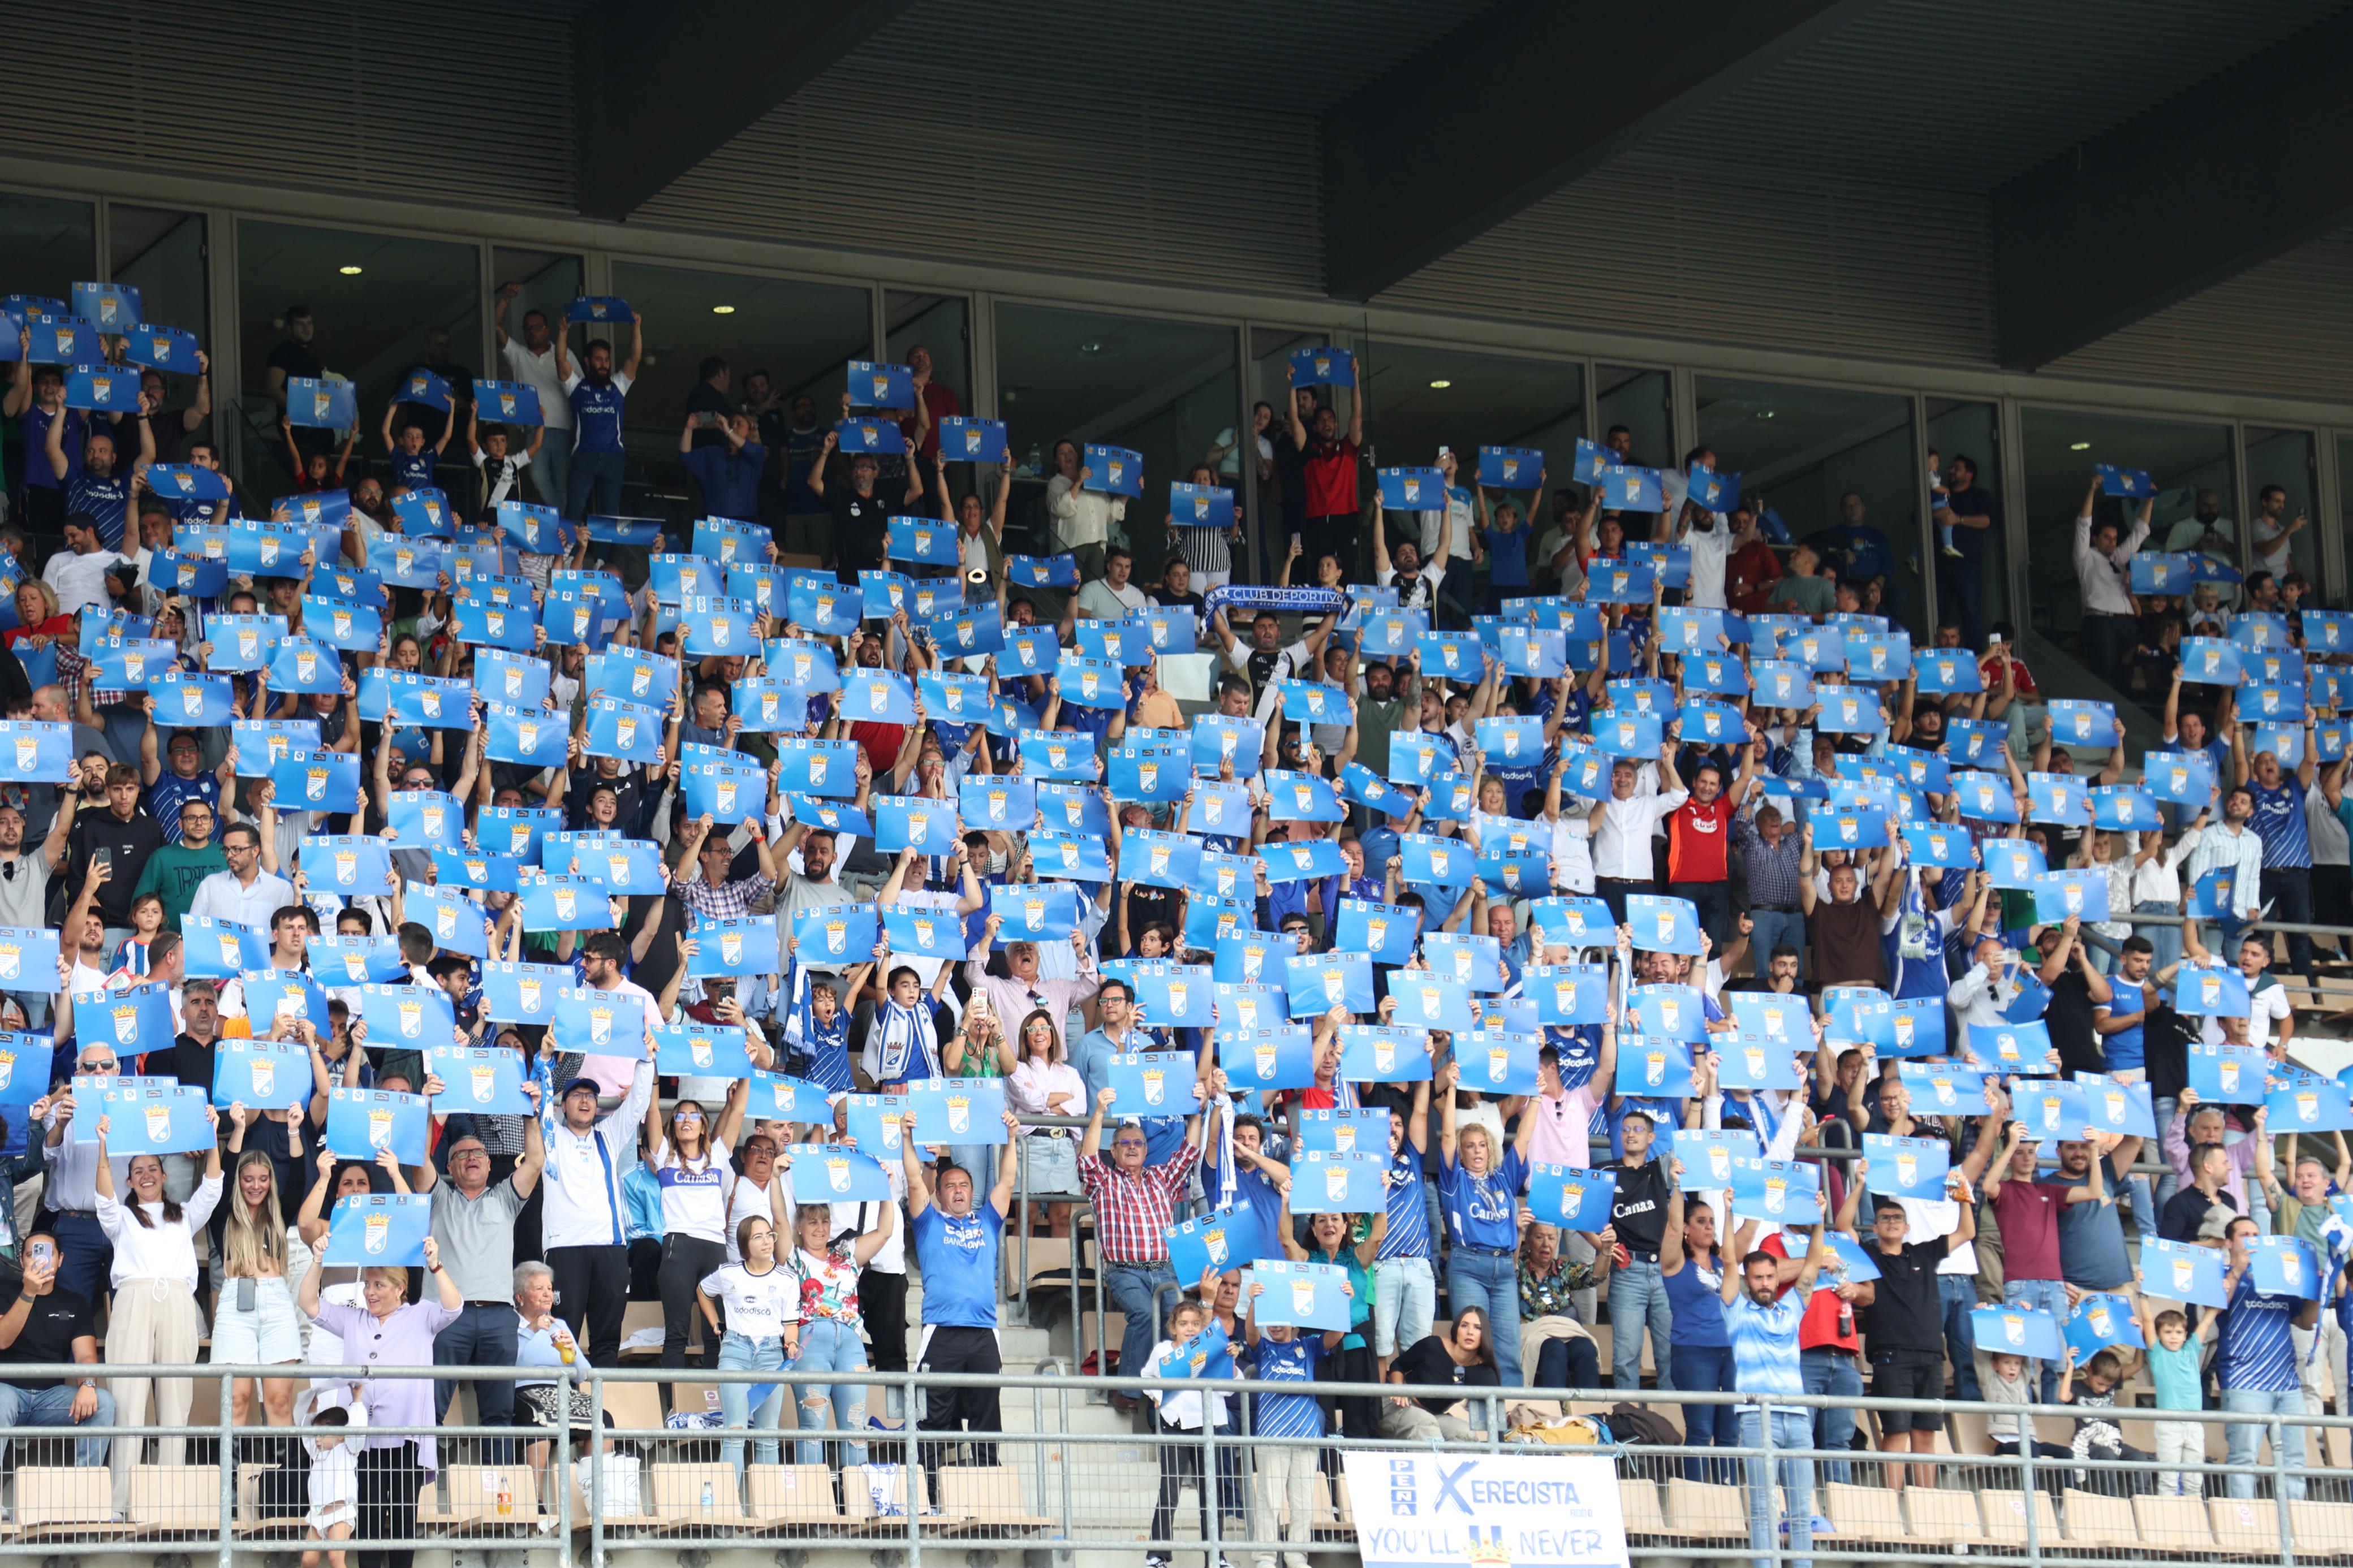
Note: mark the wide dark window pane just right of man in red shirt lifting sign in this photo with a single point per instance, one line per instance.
(1425, 398)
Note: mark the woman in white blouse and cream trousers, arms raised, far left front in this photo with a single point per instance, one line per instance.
(154, 1318)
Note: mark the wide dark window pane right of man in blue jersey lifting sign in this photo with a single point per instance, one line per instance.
(794, 335)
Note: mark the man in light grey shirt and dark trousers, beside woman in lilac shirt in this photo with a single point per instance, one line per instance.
(474, 1224)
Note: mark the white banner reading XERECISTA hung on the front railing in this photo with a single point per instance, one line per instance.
(1538, 1508)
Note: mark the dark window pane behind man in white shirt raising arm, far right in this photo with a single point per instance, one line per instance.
(2194, 476)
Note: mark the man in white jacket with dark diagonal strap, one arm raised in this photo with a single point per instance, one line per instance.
(585, 1219)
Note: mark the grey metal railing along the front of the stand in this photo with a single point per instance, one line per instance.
(1060, 1487)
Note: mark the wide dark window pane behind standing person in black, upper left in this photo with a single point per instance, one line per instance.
(354, 307)
